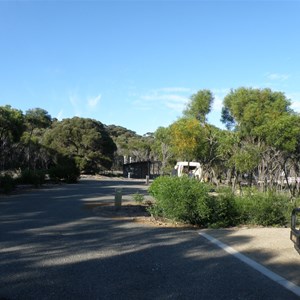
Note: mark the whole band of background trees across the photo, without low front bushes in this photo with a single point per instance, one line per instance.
(261, 145)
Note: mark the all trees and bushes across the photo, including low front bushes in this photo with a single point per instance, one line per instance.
(253, 165)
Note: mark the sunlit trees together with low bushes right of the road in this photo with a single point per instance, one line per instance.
(250, 172)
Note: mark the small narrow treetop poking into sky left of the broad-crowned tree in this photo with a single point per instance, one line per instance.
(199, 105)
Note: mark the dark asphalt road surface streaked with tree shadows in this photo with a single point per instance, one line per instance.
(51, 247)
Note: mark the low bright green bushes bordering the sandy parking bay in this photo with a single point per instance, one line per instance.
(187, 200)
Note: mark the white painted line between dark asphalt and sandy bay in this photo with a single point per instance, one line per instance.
(260, 268)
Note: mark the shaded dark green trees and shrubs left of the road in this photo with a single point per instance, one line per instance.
(35, 148)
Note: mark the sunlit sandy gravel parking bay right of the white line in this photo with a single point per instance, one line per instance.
(271, 247)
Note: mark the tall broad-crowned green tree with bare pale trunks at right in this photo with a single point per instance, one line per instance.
(267, 130)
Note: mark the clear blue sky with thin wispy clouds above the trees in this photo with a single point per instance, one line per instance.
(137, 63)
